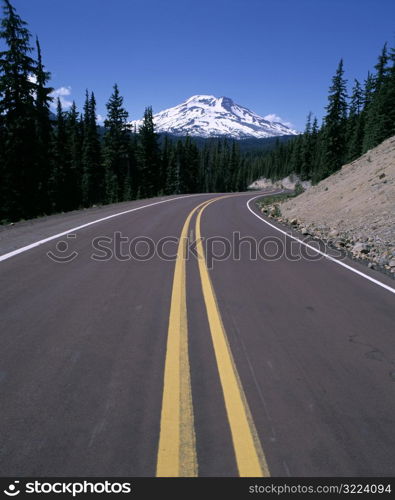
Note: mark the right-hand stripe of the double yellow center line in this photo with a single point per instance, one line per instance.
(251, 461)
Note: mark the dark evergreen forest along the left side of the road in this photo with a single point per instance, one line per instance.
(57, 163)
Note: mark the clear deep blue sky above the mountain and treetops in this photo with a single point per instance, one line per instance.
(273, 56)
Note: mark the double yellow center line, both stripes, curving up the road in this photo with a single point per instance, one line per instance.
(177, 443)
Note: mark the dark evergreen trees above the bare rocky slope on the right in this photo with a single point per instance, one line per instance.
(352, 125)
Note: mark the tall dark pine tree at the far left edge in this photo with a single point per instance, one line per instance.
(20, 180)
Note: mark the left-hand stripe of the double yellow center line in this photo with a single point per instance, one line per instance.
(177, 447)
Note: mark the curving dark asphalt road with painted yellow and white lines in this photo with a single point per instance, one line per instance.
(180, 365)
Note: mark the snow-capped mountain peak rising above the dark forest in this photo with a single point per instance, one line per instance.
(209, 116)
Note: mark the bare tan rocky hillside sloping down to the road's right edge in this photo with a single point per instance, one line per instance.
(352, 209)
